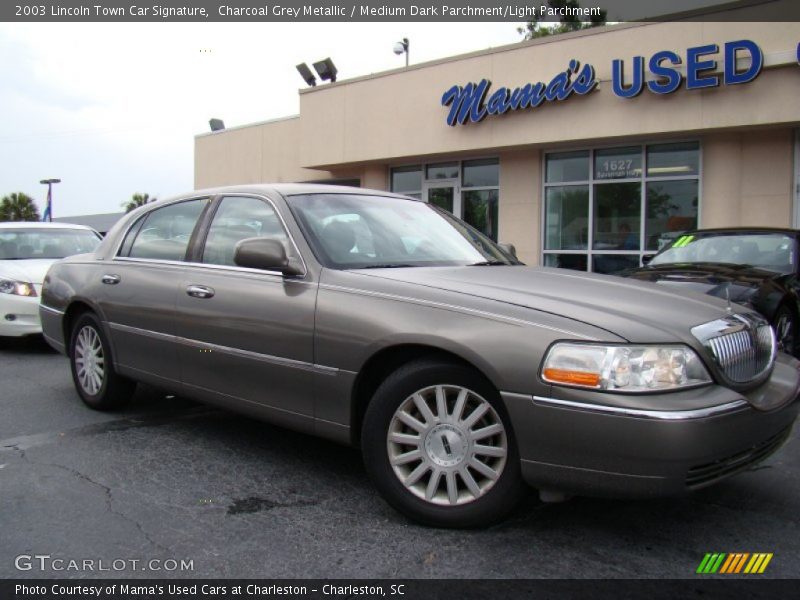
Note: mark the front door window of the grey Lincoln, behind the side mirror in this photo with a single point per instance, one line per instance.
(237, 219)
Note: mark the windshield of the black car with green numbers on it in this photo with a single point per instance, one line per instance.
(769, 251)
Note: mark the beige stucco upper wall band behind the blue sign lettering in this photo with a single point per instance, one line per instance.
(358, 121)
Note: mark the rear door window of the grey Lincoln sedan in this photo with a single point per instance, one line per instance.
(164, 234)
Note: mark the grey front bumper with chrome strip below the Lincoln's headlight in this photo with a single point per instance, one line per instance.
(582, 448)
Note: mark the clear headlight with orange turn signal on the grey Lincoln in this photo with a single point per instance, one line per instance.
(624, 368)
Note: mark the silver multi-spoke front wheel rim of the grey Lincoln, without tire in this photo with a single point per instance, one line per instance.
(447, 445)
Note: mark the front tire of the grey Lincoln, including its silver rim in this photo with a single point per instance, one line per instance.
(424, 463)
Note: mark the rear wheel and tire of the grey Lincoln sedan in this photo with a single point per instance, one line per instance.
(98, 385)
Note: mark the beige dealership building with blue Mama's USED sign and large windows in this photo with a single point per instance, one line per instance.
(587, 150)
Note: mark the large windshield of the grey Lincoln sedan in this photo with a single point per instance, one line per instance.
(349, 231)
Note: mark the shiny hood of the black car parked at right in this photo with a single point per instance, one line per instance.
(715, 279)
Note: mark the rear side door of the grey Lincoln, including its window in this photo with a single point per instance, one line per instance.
(137, 291)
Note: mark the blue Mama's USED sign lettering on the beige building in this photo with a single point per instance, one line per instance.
(474, 102)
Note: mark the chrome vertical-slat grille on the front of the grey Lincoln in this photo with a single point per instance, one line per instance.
(742, 345)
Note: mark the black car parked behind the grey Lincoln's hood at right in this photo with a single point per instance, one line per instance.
(756, 267)
